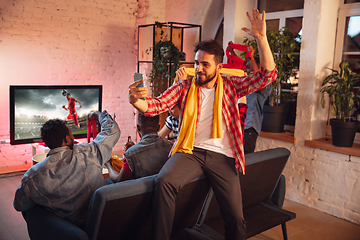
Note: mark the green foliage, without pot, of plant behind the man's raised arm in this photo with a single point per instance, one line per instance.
(283, 43)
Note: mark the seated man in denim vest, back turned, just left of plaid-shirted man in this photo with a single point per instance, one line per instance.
(146, 157)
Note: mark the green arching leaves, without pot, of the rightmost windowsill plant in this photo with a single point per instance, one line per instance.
(343, 89)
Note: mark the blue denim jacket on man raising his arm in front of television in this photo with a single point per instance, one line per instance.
(66, 179)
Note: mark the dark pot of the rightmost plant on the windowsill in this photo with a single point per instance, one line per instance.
(343, 133)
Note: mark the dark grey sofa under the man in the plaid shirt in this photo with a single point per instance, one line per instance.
(123, 210)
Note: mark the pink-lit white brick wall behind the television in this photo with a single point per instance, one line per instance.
(63, 42)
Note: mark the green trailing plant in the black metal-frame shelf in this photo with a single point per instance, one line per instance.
(166, 60)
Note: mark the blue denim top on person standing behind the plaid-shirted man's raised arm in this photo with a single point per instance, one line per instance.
(255, 102)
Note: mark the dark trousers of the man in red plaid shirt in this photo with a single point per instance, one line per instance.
(179, 170)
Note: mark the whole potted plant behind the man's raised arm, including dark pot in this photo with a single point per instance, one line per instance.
(283, 43)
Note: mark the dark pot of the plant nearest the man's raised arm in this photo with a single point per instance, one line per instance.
(274, 118)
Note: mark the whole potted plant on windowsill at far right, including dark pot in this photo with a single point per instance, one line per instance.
(343, 89)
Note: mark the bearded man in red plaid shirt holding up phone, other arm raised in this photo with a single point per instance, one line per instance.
(219, 159)
